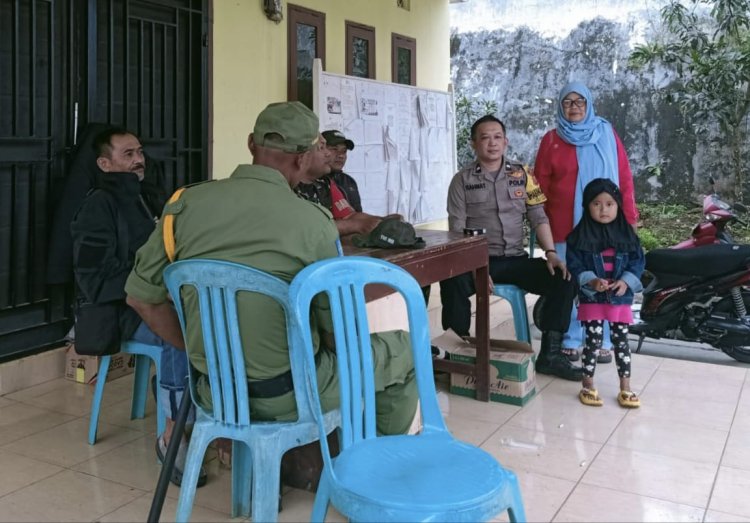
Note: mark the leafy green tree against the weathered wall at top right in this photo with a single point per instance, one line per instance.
(710, 56)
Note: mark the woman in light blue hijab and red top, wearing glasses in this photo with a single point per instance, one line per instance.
(583, 147)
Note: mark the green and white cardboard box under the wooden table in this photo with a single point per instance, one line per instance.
(512, 376)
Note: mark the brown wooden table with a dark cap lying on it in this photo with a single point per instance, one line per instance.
(446, 254)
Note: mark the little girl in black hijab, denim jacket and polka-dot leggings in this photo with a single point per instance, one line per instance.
(606, 258)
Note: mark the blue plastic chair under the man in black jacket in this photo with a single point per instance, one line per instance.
(144, 355)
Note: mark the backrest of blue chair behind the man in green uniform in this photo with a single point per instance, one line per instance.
(217, 284)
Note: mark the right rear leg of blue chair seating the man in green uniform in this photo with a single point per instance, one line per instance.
(267, 465)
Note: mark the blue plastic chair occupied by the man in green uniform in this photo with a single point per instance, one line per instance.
(257, 447)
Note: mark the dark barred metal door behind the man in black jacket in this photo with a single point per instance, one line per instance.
(63, 63)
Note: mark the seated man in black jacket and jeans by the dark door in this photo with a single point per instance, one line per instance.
(110, 226)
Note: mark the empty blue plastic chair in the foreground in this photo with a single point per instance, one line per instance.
(426, 477)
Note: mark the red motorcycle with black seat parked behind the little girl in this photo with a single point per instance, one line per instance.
(698, 290)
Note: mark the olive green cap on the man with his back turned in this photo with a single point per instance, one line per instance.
(287, 126)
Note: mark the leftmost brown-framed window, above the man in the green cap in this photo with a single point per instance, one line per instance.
(306, 41)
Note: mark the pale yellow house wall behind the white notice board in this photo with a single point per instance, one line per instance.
(249, 54)
